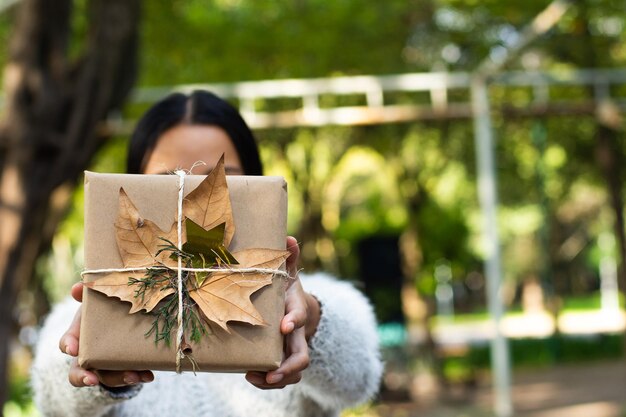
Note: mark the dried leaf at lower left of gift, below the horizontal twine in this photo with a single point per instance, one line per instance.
(118, 284)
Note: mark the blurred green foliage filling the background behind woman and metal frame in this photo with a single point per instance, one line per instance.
(414, 182)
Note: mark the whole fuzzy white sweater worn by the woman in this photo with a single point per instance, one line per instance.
(345, 370)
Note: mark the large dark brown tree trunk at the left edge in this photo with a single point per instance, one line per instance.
(53, 125)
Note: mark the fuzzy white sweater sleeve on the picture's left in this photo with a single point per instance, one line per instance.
(53, 393)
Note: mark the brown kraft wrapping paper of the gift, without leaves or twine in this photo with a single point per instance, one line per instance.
(113, 339)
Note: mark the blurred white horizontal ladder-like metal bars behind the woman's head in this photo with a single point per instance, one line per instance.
(376, 105)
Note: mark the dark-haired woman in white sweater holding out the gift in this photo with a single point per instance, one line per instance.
(331, 353)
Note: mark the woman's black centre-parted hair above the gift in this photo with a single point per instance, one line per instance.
(198, 108)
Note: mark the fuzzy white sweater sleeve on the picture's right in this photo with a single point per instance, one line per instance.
(345, 366)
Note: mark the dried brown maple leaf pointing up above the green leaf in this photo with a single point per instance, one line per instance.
(209, 204)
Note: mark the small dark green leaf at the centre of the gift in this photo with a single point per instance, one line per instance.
(207, 248)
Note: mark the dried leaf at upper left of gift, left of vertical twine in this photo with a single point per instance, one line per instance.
(138, 239)
